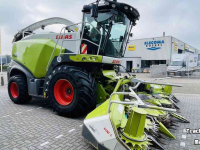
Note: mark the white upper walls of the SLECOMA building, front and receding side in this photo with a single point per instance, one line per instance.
(164, 51)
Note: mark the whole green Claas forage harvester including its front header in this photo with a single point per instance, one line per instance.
(76, 70)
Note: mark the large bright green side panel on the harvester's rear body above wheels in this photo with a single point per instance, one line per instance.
(34, 54)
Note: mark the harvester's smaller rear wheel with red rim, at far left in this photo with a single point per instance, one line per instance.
(18, 89)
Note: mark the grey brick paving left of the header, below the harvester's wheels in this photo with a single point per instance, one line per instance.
(35, 126)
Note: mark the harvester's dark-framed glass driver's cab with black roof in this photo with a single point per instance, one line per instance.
(106, 28)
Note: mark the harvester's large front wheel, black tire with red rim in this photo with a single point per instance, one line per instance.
(76, 93)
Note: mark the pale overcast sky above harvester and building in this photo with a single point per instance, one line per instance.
(178, 18)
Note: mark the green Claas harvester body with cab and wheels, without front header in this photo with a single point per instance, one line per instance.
(67, 67)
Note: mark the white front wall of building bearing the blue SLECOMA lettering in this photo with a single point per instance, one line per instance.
(150, 49)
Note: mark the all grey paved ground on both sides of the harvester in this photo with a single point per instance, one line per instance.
(36, 126)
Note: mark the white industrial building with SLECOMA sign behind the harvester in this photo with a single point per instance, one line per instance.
(142, 53)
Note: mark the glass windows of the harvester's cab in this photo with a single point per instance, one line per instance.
(97, 31)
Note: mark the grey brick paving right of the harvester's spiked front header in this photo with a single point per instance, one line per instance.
(190, 104)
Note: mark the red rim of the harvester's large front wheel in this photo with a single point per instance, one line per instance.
(63, 92)
